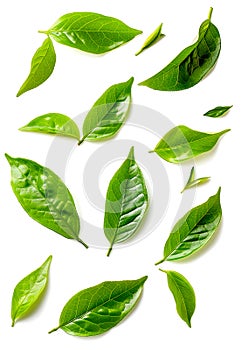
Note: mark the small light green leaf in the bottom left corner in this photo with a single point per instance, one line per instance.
(29, 290)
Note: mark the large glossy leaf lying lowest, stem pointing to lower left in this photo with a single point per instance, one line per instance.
(97, 309)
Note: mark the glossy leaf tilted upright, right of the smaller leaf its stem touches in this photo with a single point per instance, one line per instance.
(108, 113)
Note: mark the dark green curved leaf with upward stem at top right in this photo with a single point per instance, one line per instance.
(192, 64)
